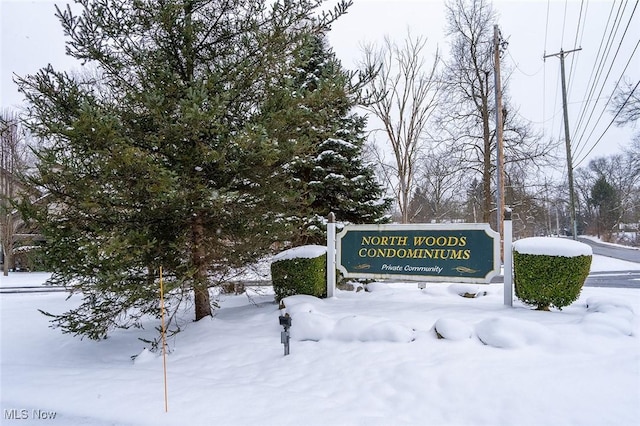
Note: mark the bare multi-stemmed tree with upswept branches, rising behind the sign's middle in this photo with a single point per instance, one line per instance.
(403, 96)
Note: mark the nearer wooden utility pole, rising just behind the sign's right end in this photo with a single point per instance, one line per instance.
(497, 46)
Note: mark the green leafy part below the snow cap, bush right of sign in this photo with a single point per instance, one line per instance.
(545, 280)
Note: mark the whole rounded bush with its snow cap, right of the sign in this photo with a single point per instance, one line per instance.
(550, 271)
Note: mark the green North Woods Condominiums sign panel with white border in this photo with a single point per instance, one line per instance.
(458, 252)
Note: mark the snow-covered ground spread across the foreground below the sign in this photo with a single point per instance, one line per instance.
(367, 358)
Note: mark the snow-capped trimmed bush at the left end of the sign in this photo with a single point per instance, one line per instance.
(300, 270)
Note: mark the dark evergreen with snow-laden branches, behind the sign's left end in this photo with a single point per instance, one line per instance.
(332, 175)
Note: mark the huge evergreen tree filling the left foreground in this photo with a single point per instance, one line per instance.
(161, 157)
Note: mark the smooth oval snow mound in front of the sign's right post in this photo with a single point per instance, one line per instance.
(511, 333)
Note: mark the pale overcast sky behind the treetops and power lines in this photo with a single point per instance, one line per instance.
(32, 38)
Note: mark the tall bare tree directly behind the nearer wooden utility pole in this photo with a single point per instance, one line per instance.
(467, 117)
